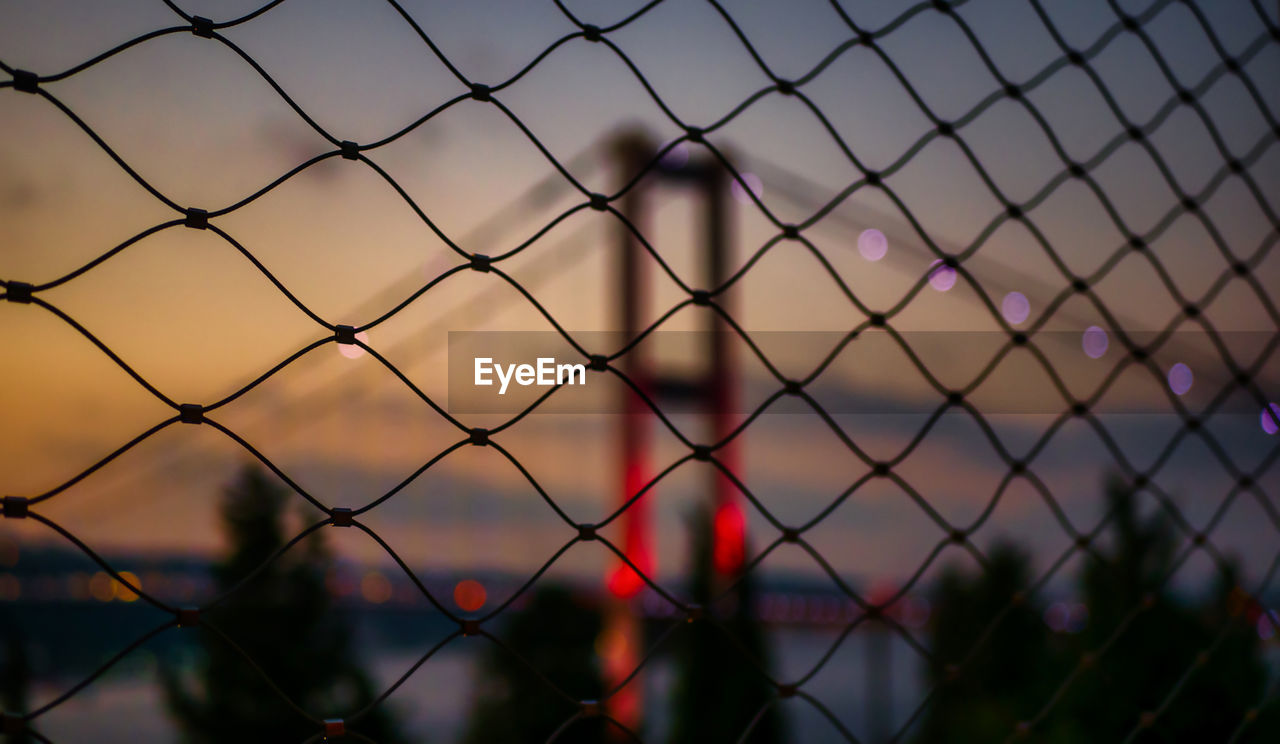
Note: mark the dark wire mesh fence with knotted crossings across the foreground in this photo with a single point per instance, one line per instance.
(1240, 267)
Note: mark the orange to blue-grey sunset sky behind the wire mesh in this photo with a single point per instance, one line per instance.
(198, 321)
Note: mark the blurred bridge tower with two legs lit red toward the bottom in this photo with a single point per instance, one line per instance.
(714, 394)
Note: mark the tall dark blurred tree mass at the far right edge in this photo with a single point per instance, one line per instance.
(1163, 642)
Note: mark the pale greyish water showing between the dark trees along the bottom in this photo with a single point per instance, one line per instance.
(433, 704)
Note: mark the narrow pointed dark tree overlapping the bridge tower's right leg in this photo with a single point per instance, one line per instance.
(717, 691)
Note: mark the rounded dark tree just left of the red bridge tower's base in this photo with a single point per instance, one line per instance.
(556, 636)
